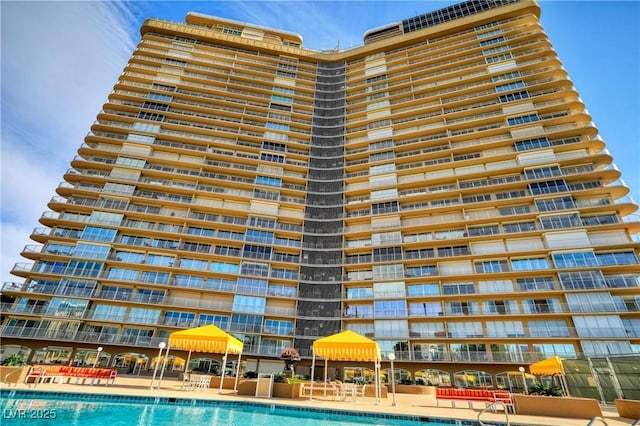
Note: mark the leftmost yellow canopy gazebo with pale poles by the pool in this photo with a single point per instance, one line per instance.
(210, 339)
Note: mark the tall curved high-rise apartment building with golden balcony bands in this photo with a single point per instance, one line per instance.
(440, 188)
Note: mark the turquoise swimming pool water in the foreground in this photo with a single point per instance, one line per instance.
(76, 409)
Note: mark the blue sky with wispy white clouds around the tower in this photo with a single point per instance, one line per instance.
(60, 59)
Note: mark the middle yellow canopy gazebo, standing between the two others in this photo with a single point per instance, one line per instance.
(347, 346)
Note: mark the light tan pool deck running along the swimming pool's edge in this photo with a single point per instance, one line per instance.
(422, 405)
